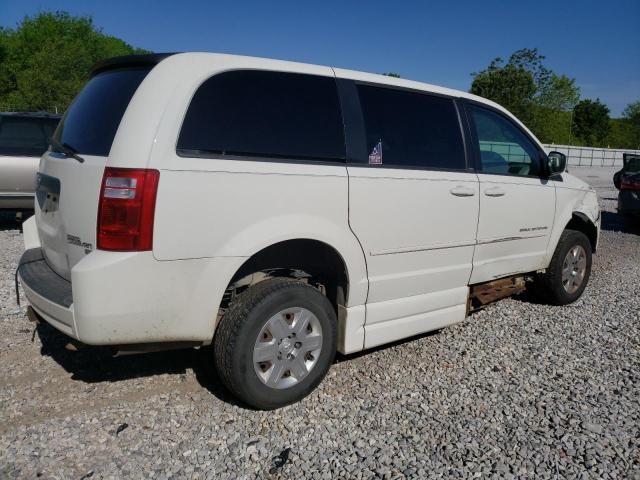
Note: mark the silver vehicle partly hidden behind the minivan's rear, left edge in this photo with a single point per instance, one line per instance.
(23, 140)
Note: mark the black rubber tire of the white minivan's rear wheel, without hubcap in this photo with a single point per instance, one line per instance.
(244, 321)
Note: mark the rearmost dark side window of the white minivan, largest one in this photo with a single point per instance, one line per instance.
(265, 114)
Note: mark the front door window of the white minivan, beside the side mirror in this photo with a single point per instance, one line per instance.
(504, 149)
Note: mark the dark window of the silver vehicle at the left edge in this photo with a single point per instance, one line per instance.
(25, 136)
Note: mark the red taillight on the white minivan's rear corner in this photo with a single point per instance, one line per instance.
(126, 209)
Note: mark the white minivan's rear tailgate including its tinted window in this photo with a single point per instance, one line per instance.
(67, 190)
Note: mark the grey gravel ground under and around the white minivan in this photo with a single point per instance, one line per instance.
(518, 390)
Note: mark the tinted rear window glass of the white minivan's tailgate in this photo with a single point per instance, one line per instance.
(90, 124)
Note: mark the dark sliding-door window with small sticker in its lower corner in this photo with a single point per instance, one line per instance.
(411, 129)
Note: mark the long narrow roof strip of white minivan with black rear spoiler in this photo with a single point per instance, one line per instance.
(284, 65)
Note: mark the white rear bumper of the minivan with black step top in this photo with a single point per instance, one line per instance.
(129, 298)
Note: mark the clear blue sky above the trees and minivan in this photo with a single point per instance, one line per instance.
(596, 42)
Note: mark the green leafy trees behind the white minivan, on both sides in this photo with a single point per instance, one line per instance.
(45, 61)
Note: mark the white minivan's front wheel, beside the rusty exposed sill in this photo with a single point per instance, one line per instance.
(569, 270)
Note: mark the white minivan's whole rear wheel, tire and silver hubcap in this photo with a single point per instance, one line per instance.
(276, 343)
